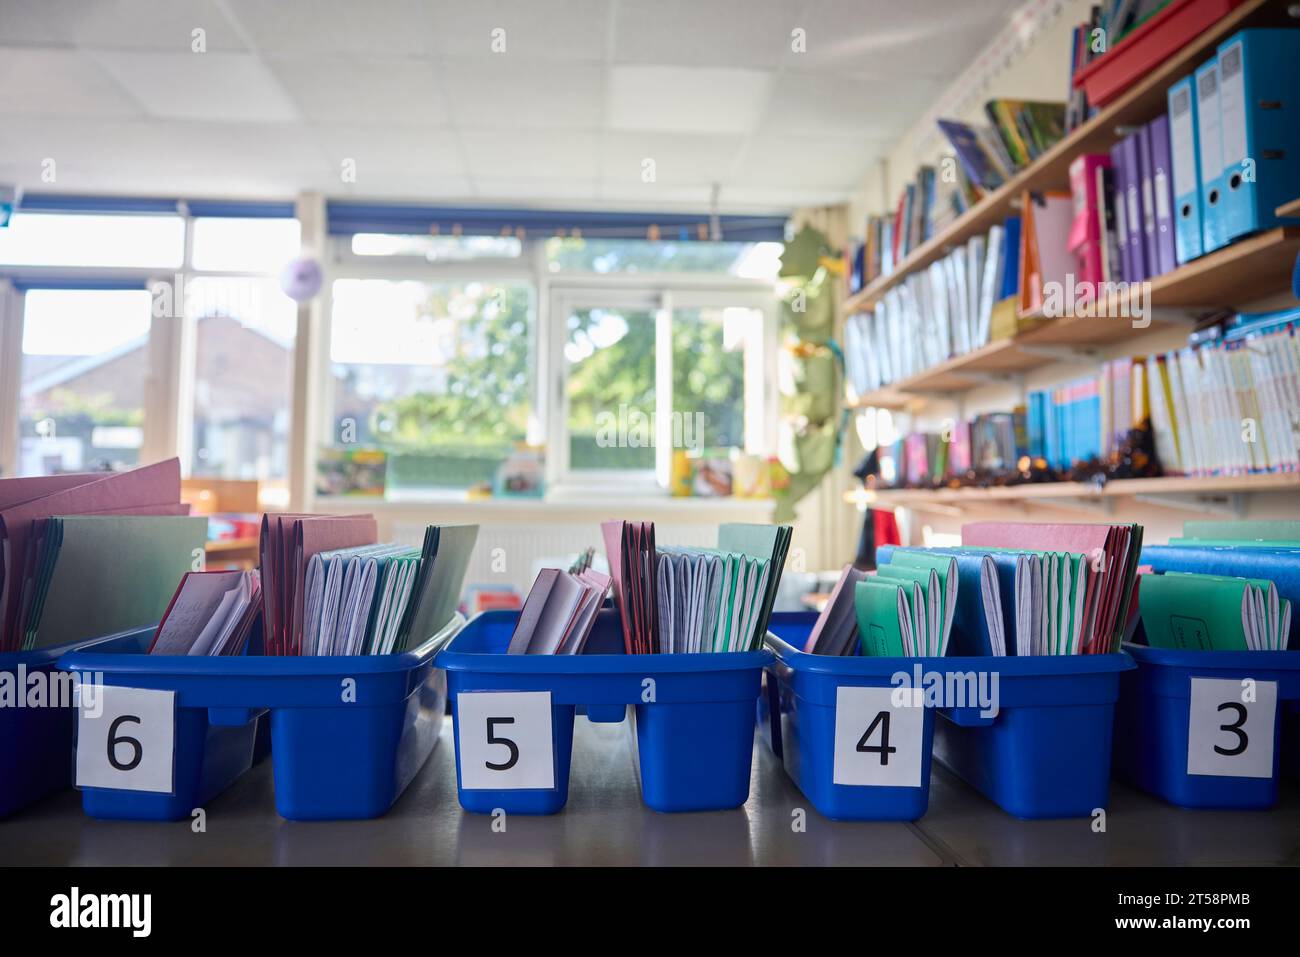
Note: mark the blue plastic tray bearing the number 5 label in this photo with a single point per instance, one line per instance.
(695, 741)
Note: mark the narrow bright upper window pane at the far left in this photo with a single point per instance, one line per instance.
(62, 240)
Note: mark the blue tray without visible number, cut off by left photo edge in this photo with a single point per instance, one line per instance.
(37, 743)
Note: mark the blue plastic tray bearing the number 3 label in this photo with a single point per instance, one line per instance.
(1155, 709)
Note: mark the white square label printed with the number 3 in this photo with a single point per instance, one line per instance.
(1227, 737)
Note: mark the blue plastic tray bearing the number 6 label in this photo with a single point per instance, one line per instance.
(333, 760)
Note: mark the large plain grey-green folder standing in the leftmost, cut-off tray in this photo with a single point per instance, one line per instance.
(109, 574)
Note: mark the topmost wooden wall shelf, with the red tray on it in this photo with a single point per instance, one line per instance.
(1141, 103)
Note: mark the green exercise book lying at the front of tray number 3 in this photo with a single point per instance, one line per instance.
(1214, 613)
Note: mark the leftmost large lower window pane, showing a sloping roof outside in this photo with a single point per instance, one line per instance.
(85, 362)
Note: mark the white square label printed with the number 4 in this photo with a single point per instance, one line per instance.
(878, 743)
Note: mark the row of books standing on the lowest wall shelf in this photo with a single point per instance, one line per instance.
(1224, 405)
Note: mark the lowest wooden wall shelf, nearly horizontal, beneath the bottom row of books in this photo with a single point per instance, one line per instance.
(1120, 488)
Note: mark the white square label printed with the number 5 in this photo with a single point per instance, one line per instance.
(505, 741)
